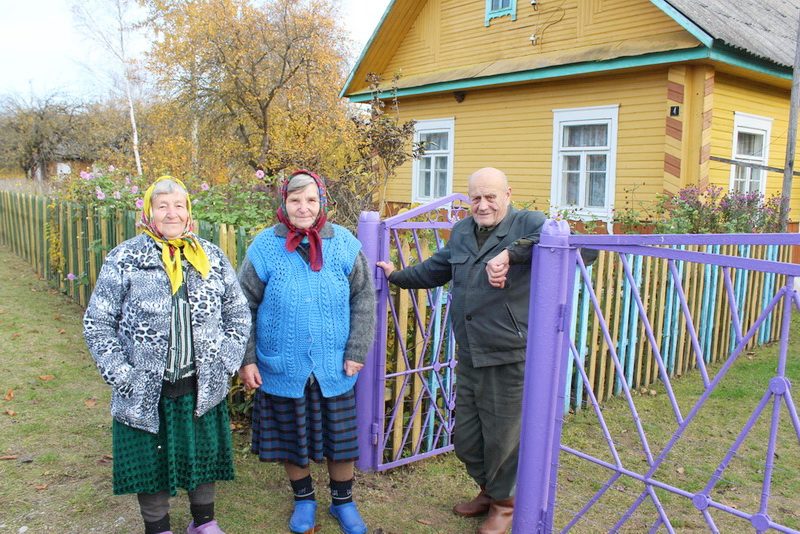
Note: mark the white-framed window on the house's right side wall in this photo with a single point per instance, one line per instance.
(751, 135)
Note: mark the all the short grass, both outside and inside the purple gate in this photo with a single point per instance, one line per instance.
(55, 442)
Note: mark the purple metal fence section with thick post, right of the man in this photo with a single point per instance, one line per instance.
(654, 472)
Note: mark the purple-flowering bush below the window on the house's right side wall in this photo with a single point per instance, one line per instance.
(695, 211)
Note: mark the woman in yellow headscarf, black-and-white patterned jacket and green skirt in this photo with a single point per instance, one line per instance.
(167, 325)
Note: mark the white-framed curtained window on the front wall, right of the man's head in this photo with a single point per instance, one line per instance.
(584, 156)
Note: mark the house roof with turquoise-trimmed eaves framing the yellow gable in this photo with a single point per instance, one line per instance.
(755, 34)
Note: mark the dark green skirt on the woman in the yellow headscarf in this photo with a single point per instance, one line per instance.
(187, 451)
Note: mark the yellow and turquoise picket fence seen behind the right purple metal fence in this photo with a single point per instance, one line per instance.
(707, 301)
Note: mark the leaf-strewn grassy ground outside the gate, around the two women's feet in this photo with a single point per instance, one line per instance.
(56, 443)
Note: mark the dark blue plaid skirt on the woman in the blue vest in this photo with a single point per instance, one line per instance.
(309, 428)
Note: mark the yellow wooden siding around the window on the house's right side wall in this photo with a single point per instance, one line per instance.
(732, 94)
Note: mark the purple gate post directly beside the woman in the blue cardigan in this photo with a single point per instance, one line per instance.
(368, 390)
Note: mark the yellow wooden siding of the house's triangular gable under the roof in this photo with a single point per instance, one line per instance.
(561, 28)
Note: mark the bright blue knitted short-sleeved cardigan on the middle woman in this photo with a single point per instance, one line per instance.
(303, 321)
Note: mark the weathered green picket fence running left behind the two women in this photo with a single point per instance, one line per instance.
(61, 238)
